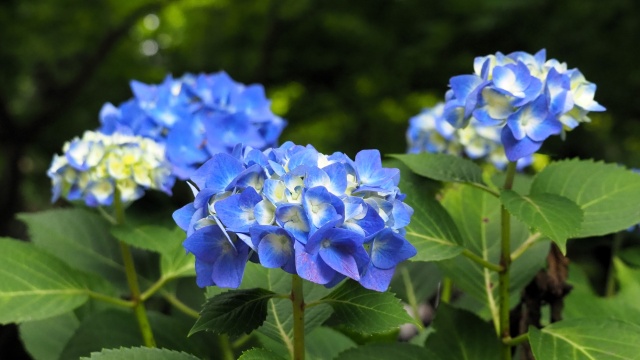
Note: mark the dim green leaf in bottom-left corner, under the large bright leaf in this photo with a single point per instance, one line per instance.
(45, 339)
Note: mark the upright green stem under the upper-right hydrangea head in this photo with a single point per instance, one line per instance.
(505, 262)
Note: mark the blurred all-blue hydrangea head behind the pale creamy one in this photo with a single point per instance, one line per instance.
(197, 116)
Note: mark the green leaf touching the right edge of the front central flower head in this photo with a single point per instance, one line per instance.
(433, 232)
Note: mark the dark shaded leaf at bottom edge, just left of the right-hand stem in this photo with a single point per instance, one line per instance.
(460, 334)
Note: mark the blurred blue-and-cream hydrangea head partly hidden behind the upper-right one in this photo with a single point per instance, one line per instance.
(429, 131)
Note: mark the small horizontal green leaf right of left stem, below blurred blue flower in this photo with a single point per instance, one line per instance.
(155, 238)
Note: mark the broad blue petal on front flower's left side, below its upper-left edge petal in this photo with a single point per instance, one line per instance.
(236, 211)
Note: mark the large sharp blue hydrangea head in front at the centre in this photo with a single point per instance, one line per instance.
(324, 218)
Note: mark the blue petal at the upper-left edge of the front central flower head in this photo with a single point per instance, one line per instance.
(218, 172)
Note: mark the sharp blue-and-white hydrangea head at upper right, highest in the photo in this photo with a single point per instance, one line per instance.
(526, 96)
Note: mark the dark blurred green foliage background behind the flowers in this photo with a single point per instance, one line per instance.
(347, 75)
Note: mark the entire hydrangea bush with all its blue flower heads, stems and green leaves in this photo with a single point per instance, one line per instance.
(297, 249)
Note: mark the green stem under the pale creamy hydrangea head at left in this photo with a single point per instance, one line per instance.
(132, 280)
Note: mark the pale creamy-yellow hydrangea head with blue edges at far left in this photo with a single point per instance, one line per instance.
(91, 168)
